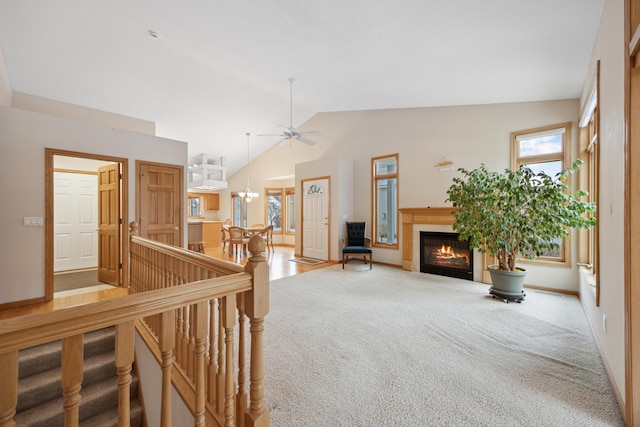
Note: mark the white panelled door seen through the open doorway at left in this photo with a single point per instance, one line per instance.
(75, 221)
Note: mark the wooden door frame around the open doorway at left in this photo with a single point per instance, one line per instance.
(49, 154)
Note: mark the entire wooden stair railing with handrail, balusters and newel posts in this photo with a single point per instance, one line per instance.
(185, 307)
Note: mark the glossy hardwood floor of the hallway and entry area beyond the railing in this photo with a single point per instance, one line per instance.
(279, 266)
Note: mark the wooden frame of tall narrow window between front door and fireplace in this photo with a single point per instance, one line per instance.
(375, 178)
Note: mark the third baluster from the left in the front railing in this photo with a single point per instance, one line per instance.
(124, 361)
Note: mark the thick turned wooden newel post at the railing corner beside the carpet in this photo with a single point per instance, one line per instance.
(256, 303)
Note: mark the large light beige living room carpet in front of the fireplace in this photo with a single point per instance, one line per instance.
(388, 347)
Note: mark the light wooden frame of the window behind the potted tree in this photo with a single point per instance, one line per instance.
(564, 157)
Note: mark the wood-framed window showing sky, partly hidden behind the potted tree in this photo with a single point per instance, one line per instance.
(544, 149)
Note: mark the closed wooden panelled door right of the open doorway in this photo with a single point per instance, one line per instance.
(160, 204)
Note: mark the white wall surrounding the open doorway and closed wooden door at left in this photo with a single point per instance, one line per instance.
(24, 136)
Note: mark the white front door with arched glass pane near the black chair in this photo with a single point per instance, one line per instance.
(315, 219)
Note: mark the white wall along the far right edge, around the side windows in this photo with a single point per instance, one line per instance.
(609, 49)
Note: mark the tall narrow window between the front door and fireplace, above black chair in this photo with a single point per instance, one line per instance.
(385, 200)
